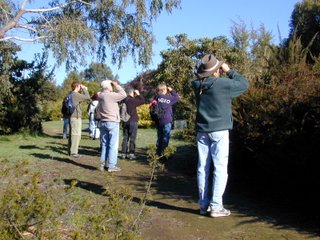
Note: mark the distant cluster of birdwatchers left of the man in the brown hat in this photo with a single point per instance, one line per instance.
(106, 103)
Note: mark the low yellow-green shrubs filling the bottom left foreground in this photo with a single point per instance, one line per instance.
(32, 208)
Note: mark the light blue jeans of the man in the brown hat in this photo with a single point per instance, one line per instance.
(213, 151)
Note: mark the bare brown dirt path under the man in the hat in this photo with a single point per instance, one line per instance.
(174, 210)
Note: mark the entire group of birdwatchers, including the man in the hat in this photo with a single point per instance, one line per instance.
(215, 87)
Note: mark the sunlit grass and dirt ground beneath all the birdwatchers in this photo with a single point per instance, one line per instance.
(173, 209)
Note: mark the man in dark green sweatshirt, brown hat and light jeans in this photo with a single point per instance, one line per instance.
(214, 94)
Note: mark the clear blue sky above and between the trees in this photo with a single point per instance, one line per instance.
(198, 19)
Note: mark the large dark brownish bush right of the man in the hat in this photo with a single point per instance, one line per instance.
(278, 126)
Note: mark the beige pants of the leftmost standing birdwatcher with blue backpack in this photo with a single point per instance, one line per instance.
(75, 135)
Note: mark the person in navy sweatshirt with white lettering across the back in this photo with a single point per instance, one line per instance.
(166, 97)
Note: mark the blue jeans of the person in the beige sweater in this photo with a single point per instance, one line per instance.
(109, 139)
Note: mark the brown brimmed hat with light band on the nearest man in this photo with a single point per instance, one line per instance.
(209, 64)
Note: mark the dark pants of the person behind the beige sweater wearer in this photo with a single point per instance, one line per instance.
(130, 130)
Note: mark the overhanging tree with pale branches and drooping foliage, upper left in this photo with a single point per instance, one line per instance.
(74, 28)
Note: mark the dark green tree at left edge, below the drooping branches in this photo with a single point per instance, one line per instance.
(29, 93)
